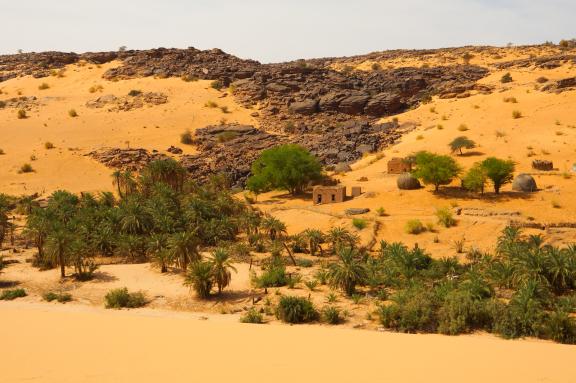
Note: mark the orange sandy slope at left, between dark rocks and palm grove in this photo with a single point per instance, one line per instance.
(65, 167)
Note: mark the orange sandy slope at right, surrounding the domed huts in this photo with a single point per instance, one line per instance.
(547, 130)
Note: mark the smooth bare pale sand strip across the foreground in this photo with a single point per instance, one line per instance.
(95, 345)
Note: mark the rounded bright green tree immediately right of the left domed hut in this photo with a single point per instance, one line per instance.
(434, 169)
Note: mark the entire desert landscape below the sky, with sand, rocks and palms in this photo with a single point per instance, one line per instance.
(398, 204)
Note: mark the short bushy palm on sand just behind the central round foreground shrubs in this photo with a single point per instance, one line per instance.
(348, 272)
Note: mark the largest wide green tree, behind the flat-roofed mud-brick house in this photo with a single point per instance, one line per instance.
(288, 167)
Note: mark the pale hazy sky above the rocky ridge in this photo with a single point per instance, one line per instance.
(273, 30)
